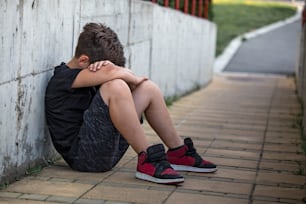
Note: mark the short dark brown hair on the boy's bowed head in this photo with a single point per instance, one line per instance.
(100, 42)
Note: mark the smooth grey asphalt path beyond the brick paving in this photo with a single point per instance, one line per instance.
(274, 52)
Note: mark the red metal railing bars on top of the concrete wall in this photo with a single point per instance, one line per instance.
(199, 8)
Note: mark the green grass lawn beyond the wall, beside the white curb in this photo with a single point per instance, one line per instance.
(236, 17)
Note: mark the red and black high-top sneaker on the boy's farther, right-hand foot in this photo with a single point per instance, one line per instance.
(186, 158)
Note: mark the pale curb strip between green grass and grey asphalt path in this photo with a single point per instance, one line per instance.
(222, 60)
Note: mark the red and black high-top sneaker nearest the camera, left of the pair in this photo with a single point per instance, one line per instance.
(153, 166)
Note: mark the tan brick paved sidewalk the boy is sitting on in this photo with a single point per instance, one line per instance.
(247, 124)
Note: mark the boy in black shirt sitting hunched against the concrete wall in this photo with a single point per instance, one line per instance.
(94, 109)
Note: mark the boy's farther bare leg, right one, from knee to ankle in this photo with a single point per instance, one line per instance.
(148, 99)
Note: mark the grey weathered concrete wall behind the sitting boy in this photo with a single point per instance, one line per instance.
(174, 50)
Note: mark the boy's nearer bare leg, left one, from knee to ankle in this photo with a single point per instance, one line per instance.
(117, 95)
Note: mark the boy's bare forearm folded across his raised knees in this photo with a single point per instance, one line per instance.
(108, 72)
